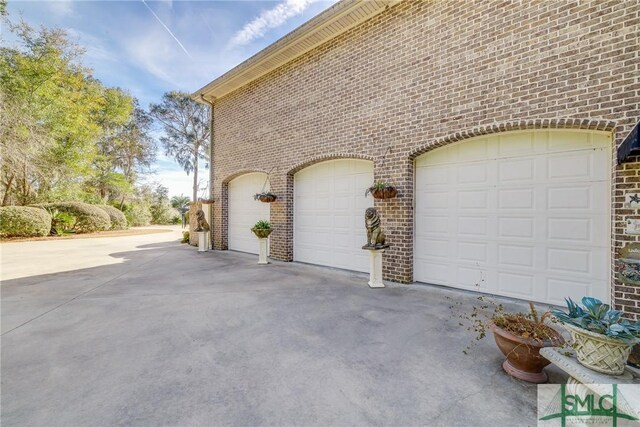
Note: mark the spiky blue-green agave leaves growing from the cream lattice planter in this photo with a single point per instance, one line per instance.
(599, 318)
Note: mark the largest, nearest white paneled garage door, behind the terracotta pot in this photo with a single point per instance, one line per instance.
(521, 214)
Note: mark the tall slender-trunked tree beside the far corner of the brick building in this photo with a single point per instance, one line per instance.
(186, 131)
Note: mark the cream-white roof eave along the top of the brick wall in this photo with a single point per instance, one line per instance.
(329, 24)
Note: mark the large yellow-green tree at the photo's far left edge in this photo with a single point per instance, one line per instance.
(49, 106)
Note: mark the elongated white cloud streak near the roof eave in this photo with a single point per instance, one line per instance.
(269, 19)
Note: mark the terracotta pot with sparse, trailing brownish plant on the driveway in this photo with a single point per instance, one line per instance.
(519, 336)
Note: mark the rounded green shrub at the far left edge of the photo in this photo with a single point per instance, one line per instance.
(24, 221)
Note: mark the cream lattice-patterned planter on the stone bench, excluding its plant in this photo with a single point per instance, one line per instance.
(599, 352)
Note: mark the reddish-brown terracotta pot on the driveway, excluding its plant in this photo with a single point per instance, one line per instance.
(523, 354)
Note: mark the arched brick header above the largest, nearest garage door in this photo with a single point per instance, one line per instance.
(591, 124)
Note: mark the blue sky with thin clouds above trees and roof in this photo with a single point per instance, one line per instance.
(151, 47)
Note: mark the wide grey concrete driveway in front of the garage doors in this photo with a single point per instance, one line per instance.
(151, 332)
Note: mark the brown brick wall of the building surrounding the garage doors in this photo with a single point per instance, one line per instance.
(423, 74)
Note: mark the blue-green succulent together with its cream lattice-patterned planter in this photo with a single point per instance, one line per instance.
(601, 338)
